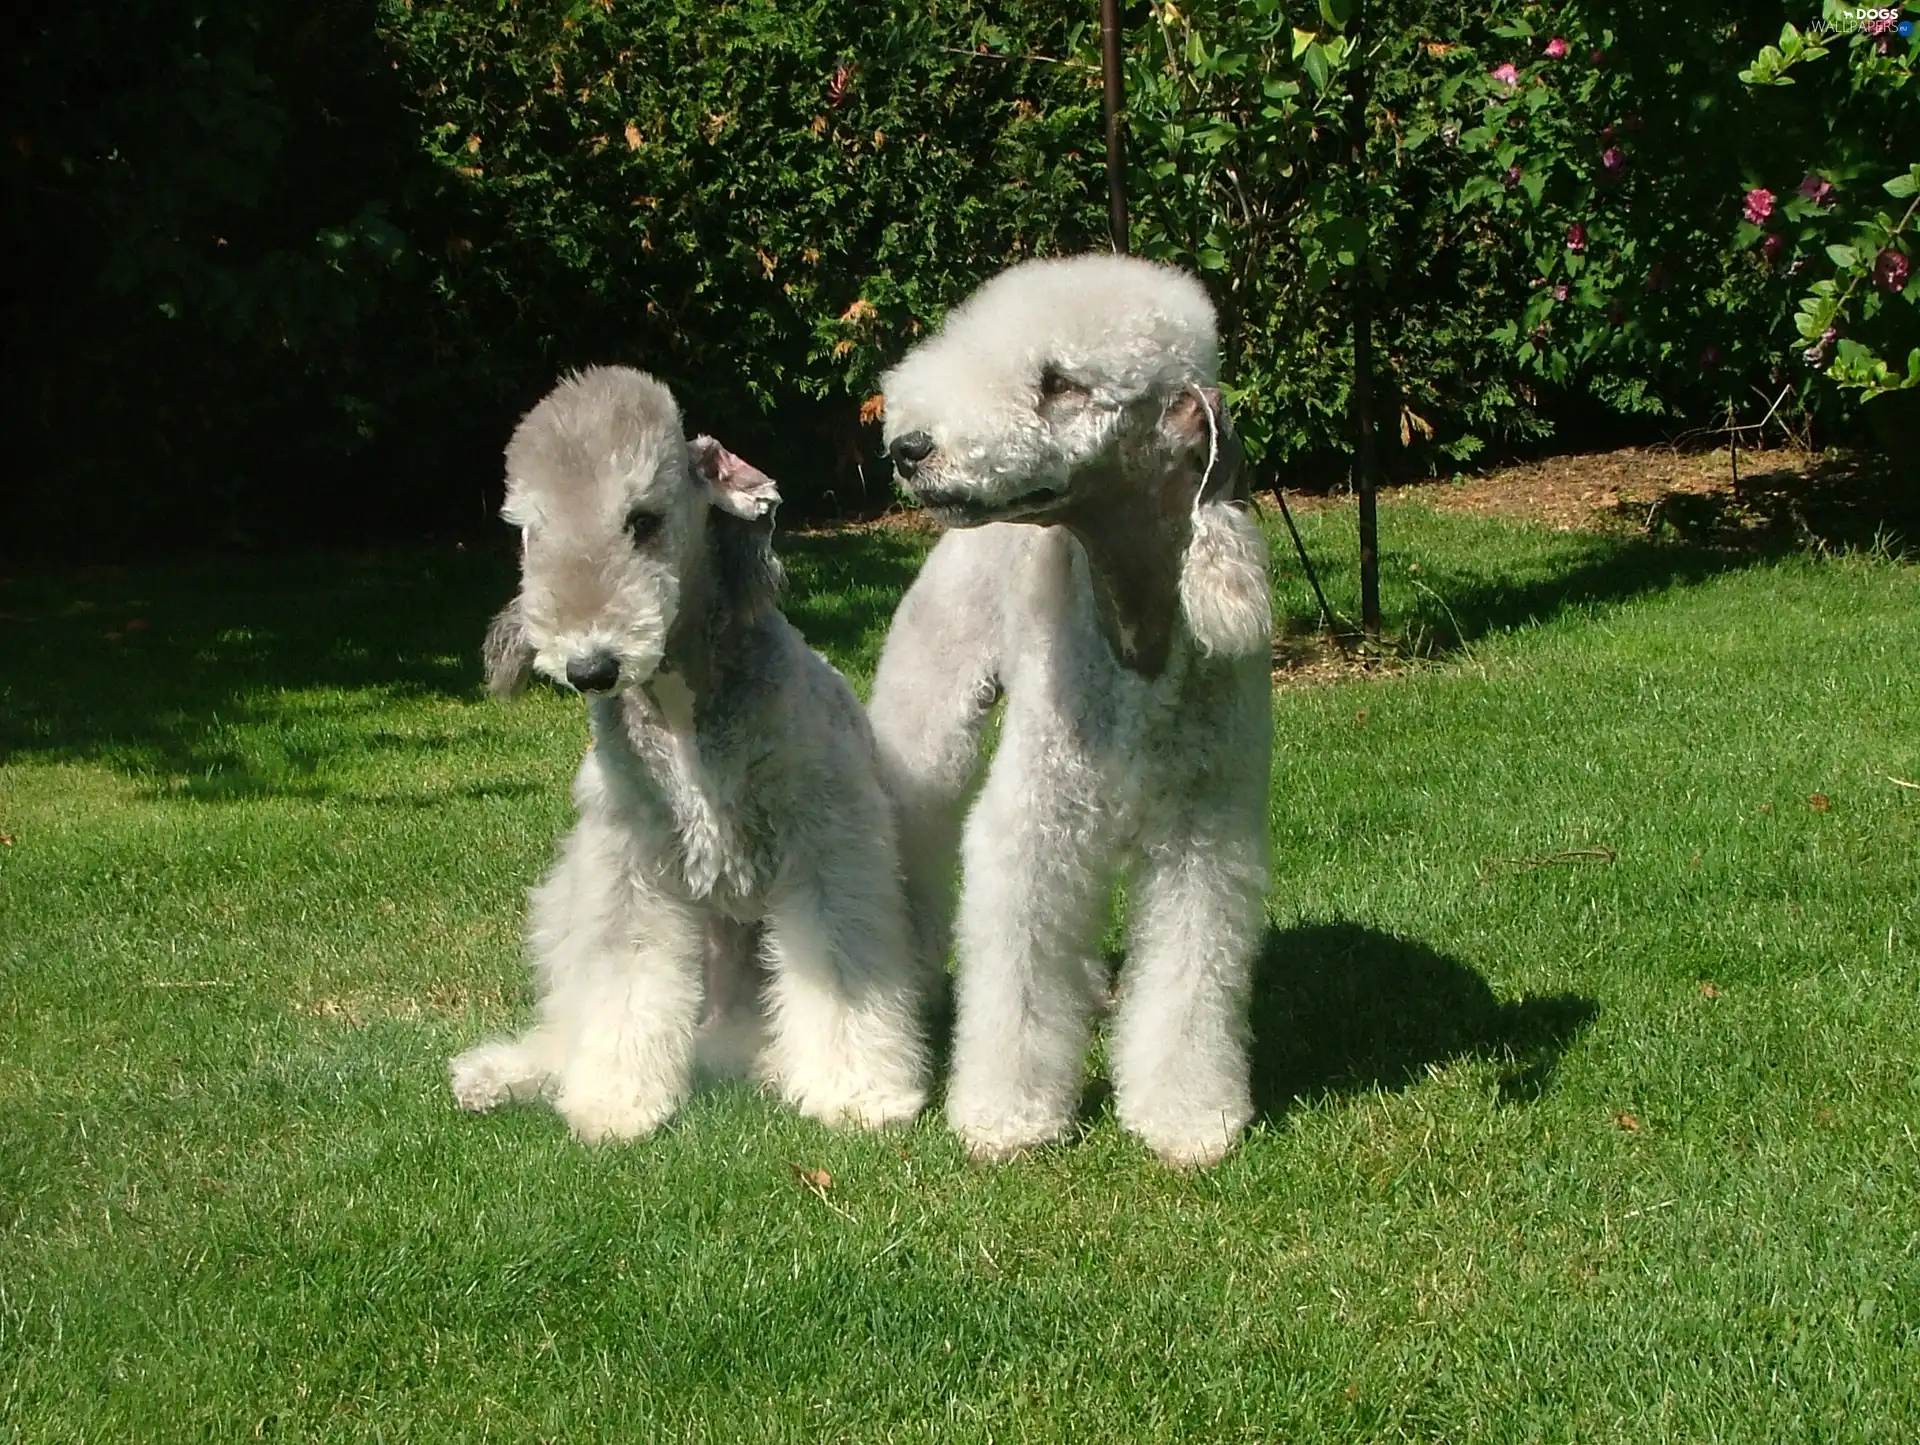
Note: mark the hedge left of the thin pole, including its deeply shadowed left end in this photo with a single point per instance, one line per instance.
(289, 273)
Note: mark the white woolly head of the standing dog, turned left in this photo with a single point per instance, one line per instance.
(1051, 381)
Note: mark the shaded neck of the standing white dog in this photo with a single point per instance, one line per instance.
(1134, 529)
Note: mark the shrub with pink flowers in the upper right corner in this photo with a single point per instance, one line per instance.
(1689, 199)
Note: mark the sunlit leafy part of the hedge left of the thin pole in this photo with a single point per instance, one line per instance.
(759, 201)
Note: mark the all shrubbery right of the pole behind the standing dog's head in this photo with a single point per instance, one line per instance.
(1581, 195)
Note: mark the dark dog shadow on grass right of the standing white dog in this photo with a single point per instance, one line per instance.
(1341, 1010)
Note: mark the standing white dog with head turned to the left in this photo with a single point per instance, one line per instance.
(1105, 579)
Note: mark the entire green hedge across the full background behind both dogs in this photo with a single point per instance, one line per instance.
(289, 273)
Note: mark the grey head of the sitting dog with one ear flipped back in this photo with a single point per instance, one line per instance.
(613, 511)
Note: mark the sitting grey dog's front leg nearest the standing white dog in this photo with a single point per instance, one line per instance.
(846, 993)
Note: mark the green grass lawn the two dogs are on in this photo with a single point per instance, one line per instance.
(1589, 1049)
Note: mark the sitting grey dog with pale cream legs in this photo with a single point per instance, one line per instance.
(731, 792)
